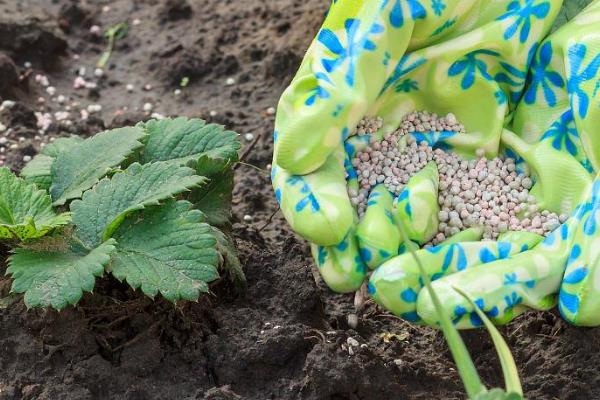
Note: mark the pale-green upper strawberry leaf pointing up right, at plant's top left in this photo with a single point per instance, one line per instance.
(79, 169)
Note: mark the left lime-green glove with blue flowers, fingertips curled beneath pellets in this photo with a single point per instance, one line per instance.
(386, 58)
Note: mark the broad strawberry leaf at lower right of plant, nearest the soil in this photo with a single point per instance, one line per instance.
(166, 249)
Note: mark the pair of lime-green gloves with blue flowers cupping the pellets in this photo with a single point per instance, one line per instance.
(482, 61)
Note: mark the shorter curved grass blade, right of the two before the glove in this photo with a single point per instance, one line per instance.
(509, 368)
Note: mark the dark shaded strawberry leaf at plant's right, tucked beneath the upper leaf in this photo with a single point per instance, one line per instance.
(214, 198)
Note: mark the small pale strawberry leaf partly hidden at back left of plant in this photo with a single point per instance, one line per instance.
(38, 170)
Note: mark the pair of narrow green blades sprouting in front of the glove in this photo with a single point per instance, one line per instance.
(466, 368)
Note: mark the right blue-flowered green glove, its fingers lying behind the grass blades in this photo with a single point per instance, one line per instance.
(554, 133)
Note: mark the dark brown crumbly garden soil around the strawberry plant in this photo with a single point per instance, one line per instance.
(285, 336)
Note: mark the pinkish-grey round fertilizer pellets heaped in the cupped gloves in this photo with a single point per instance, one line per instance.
(486, 193)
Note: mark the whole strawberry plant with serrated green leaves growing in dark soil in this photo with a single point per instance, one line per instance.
(149, 204)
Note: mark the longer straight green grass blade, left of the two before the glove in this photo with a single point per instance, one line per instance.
(462, 359)
